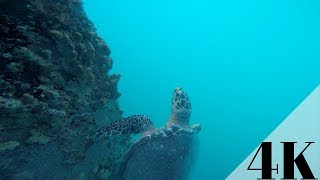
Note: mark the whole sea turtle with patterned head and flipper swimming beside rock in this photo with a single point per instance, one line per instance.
(160, 153)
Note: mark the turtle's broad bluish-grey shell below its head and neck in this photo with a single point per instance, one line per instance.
(168, 154)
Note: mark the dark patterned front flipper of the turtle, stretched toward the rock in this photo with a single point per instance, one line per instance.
(134, 124)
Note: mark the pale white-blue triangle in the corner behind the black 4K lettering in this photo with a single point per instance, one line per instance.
(302, 125)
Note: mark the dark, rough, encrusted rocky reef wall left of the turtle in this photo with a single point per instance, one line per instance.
(54, 83)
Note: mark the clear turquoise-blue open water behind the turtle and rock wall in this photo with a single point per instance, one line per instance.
(246, 65)
